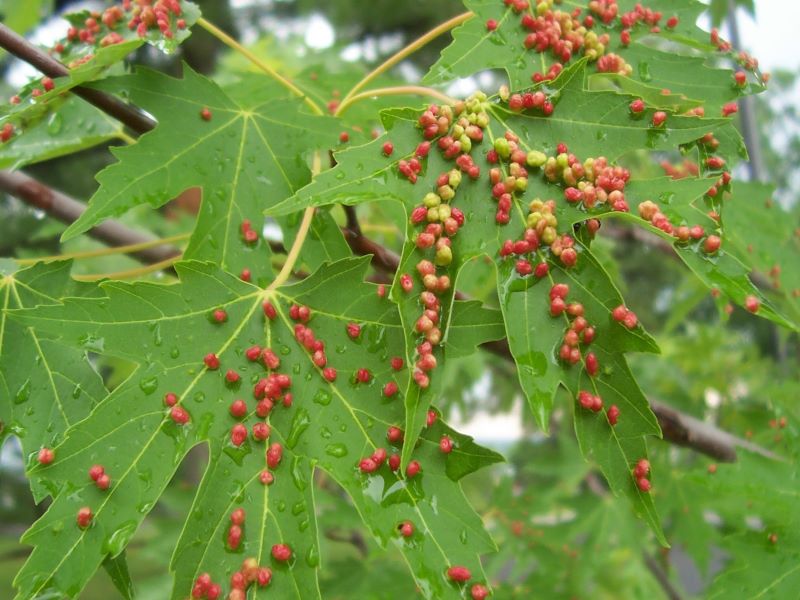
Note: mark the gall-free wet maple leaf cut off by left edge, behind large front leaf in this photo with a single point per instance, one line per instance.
(44, 386)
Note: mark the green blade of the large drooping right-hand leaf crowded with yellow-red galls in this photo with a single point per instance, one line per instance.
(591, 123)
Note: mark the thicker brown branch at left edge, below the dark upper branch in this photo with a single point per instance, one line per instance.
(65, 209)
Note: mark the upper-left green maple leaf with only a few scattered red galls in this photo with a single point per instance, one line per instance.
(247, 157)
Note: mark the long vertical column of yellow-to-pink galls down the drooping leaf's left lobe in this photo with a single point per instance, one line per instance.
(454, 129)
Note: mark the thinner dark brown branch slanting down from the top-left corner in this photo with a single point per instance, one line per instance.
(111, 105)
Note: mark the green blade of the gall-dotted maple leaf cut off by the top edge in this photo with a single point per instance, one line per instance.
(658, 61)
